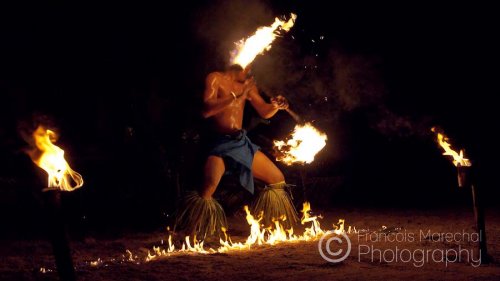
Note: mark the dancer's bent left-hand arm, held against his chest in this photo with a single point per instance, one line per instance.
(211, 103)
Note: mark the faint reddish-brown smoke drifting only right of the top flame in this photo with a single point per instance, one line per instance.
(325, 86)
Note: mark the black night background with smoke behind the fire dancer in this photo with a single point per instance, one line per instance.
(123, 82)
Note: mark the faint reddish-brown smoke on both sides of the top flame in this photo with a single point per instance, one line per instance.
(321, 78)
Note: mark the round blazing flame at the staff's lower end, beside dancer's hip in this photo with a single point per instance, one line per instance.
(305, 143)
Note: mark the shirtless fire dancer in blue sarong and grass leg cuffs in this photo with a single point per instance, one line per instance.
(232, 151)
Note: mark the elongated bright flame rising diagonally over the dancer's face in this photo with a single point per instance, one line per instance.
(260, 41)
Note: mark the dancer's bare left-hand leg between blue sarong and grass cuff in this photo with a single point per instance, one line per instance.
(213, 172)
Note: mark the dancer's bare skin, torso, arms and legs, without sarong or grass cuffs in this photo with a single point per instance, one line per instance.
(224, 100)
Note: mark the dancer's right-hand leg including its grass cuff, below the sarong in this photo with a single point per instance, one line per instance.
(274, 200)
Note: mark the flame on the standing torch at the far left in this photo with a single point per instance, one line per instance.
(50, 158)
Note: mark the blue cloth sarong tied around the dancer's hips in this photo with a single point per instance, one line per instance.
(238, 152)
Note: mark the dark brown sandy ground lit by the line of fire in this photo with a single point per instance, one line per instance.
(406, 230)
